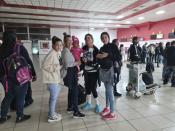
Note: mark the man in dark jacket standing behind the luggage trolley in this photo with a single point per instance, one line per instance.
(135, 54)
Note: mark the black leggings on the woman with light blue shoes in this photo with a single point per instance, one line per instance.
(91, 83)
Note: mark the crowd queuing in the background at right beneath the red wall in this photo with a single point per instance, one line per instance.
(155, 54)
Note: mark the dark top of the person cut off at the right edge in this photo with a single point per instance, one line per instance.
(170, 56)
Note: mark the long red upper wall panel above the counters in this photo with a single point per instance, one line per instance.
(147, 29)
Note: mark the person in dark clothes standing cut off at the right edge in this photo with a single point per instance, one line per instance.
(170, 57)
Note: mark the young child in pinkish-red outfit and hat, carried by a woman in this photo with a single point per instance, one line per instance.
(76, 50)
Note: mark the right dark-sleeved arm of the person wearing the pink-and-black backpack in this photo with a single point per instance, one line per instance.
(24, 53)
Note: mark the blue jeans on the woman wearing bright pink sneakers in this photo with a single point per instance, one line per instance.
(109, 96)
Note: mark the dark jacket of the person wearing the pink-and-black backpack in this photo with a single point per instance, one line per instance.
(23, 52)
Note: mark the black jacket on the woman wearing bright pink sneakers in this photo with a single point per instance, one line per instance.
(113, 56)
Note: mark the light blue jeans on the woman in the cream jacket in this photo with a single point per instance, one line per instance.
(54, 90)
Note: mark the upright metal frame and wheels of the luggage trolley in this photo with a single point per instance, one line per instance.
(133, 84)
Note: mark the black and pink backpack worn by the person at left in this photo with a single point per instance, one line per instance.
(16, 68)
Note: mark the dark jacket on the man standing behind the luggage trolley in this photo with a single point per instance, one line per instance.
(135, 54)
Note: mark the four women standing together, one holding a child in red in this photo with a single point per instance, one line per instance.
(97, 65)
